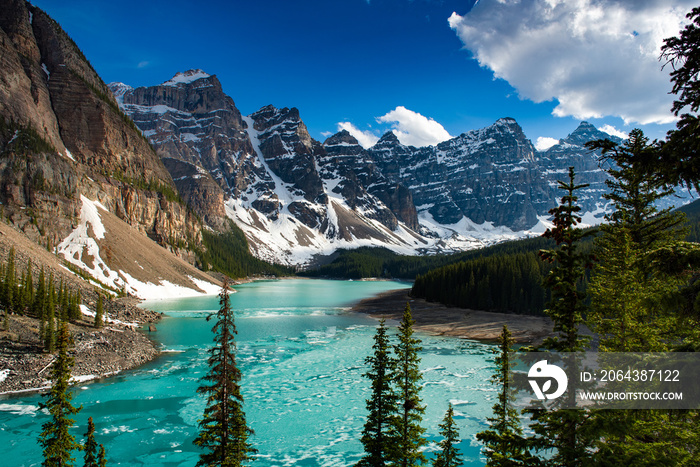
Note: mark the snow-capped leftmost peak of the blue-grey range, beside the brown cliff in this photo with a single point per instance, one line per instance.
(188, 118)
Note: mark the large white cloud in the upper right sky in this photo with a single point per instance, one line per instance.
(595, 57)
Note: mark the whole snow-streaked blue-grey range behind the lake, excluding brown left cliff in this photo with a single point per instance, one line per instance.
(297, 198)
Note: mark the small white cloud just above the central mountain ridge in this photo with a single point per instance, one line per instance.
(413, 129)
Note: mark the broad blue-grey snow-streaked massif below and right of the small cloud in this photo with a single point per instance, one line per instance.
(487, 175)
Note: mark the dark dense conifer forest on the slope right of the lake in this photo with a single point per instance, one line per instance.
(506, 277)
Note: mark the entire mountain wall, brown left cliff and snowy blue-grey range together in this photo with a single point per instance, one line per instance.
(174, 160)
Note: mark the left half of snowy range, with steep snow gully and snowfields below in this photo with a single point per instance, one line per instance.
(292, 195)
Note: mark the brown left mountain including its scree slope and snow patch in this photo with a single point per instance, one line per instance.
(65, 148)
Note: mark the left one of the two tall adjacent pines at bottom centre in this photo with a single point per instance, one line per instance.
(378, 438)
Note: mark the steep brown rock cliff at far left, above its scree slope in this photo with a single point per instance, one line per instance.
(64, 136)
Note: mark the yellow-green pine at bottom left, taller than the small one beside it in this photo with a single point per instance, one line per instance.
(55, 439)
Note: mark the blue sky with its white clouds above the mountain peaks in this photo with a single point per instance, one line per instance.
(426, 68)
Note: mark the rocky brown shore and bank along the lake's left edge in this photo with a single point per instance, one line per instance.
(118, 346)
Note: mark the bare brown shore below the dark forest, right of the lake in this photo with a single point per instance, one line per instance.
(438, 319)
